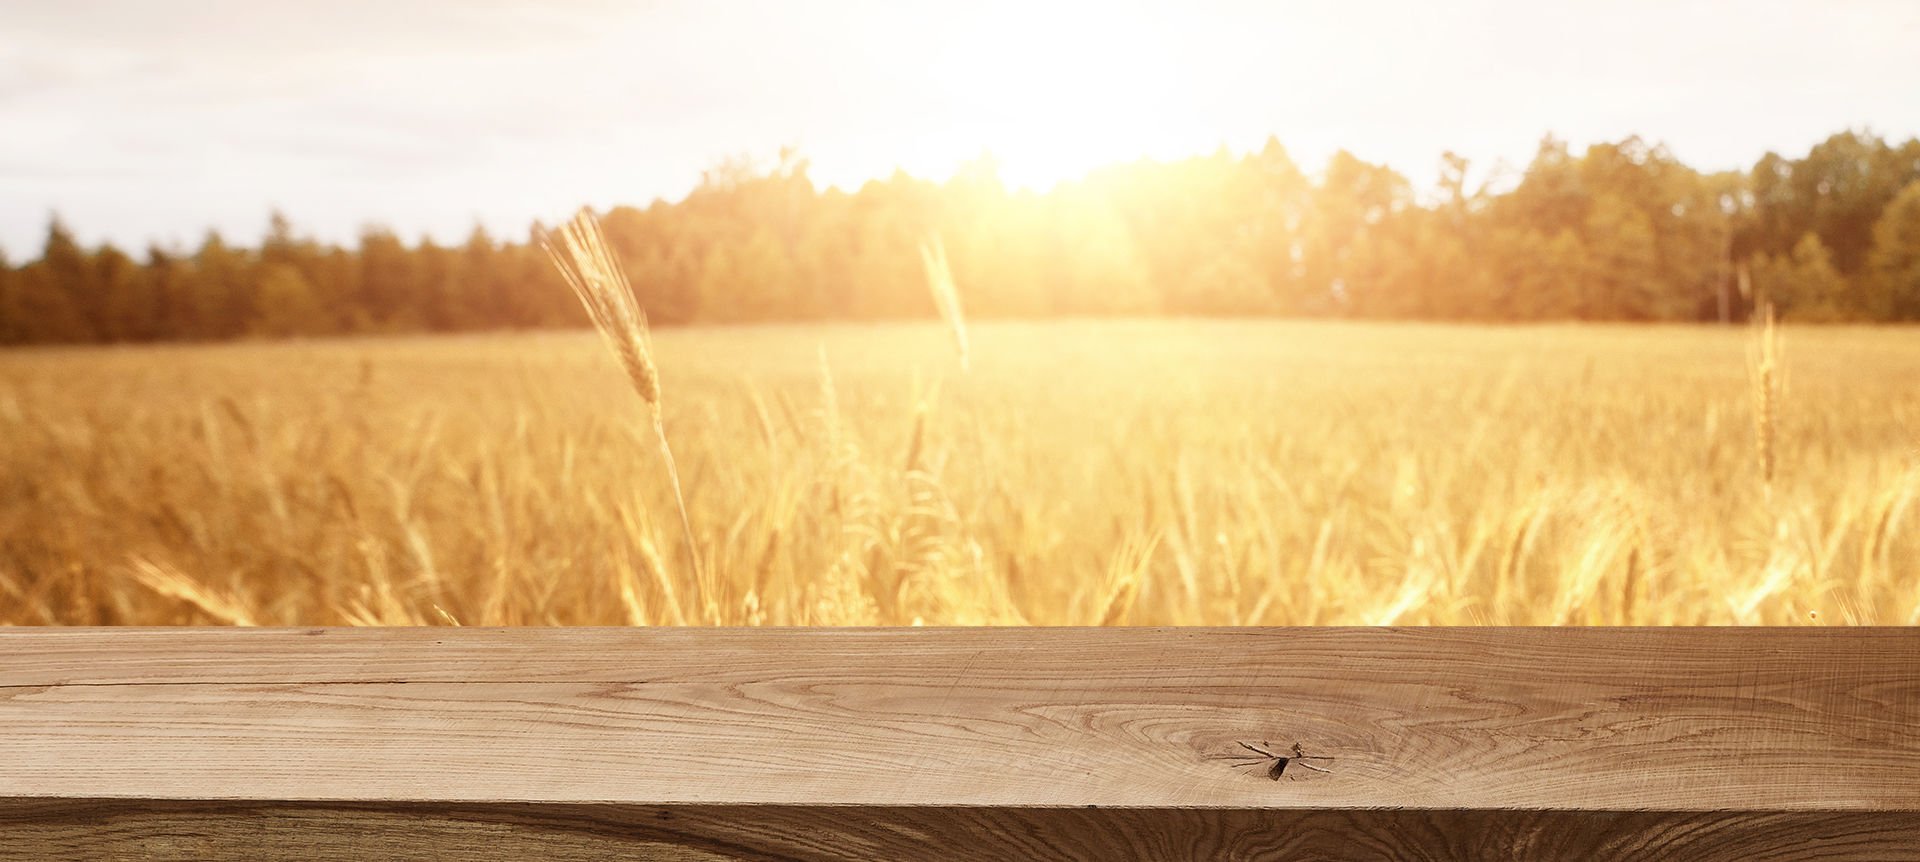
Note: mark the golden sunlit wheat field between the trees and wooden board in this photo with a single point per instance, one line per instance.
(1076, 473)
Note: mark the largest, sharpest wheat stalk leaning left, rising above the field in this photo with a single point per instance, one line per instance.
(581, 252)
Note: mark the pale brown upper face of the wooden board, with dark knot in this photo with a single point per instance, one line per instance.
(1414, 719)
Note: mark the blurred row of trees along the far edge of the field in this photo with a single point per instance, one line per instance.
(1621, 231)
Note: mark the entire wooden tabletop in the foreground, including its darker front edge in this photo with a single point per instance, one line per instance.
(1673, 742)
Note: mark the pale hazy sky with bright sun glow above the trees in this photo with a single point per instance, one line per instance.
(145, 120)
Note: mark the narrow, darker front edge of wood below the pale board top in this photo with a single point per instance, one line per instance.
(427, 832)
